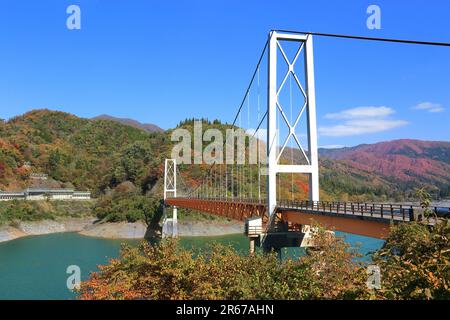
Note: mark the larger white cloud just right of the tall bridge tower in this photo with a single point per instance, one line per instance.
(361, 120)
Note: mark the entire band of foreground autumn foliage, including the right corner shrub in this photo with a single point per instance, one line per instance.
(414, 264)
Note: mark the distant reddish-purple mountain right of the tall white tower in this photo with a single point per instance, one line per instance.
(406, 163)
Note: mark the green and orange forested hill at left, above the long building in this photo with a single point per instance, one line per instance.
(88, 154)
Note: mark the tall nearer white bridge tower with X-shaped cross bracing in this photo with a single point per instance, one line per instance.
(308, 109)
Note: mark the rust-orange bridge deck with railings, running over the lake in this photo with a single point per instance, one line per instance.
(368, 219)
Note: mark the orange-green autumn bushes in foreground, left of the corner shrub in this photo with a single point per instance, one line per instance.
(167, 271)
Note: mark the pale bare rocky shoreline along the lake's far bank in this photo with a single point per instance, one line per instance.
(119, 230)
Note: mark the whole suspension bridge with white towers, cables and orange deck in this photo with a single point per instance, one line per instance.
(259, 184)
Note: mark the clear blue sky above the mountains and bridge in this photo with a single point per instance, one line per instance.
(163, 61)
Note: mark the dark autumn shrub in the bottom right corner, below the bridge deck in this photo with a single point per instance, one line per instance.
(415, 262)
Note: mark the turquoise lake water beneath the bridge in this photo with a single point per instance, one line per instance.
(35, 267)
